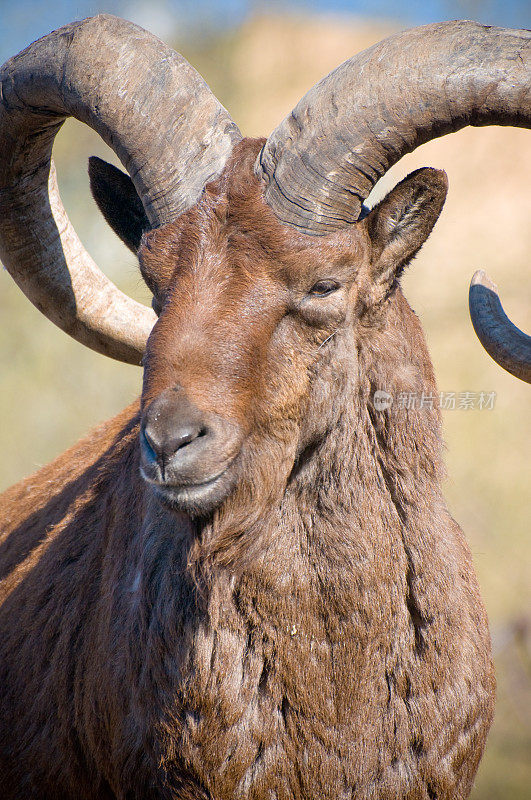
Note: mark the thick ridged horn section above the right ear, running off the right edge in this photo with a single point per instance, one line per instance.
(322, 161)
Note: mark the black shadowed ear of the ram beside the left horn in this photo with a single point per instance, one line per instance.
(116, 197)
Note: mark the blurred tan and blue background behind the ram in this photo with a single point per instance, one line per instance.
(260, 58)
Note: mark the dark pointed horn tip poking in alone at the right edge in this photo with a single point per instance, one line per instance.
(503, 341)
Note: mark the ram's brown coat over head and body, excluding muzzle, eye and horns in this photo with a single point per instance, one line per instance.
(319, 633)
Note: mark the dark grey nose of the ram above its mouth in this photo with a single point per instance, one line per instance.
(171, 423)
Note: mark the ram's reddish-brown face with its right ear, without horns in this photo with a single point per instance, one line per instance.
(253, 316)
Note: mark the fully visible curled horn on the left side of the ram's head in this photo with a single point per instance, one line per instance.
(160, 118)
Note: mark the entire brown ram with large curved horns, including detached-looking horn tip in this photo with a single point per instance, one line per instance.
(247, 585)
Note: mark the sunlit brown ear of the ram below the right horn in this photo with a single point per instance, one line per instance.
(400, 224)
